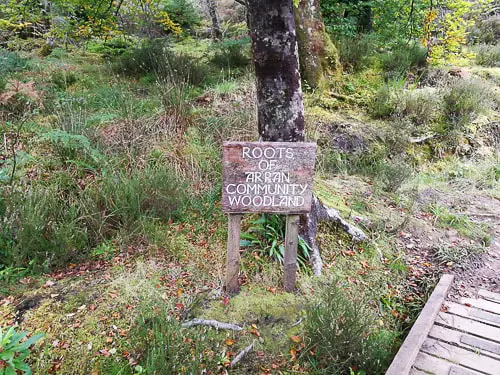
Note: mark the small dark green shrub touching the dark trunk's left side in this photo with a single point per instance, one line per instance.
(232, 53)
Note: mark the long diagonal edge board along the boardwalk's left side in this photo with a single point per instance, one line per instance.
(406, 355)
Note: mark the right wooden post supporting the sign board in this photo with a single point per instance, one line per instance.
(291, 244)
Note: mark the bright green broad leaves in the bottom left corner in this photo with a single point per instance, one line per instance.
(13, 351)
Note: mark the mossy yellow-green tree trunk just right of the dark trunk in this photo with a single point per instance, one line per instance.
(319, 58)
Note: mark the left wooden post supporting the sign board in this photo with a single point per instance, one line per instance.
(233, 253)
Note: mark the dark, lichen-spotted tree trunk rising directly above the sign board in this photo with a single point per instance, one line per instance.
(275, 55)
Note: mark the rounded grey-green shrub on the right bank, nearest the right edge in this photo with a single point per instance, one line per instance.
(464, 100)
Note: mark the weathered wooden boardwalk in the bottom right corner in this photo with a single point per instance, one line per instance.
(452, 338)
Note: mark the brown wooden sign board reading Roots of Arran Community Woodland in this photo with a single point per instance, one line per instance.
(271, 177)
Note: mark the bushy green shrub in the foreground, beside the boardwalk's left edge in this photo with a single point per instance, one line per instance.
(341, 330)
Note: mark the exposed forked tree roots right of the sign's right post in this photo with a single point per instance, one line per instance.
(319, 213)
